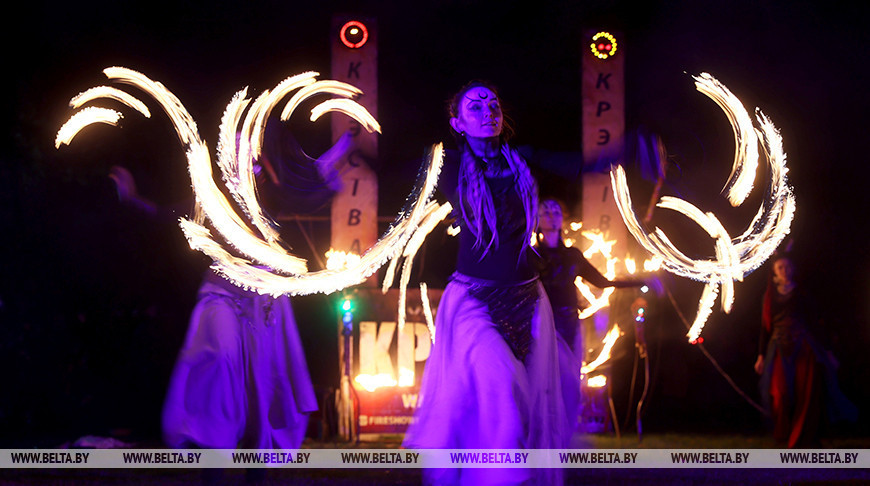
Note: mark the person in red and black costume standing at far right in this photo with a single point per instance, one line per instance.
(798, 372)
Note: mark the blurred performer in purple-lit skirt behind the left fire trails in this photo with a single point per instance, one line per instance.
(241, 378)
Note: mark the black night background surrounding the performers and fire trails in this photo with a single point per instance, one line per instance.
(94, 299)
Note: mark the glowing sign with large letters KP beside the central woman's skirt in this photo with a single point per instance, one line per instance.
(389, 362)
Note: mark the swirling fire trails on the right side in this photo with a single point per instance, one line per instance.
(734, 257)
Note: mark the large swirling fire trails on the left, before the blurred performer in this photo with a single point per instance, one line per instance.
(284, 272)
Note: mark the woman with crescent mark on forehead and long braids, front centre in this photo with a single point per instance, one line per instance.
(492, 380)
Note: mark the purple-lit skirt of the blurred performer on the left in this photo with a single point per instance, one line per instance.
(241, 379)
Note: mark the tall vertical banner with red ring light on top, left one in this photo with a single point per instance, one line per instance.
(355, 208)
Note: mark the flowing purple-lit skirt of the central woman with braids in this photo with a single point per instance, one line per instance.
(477, 395)
